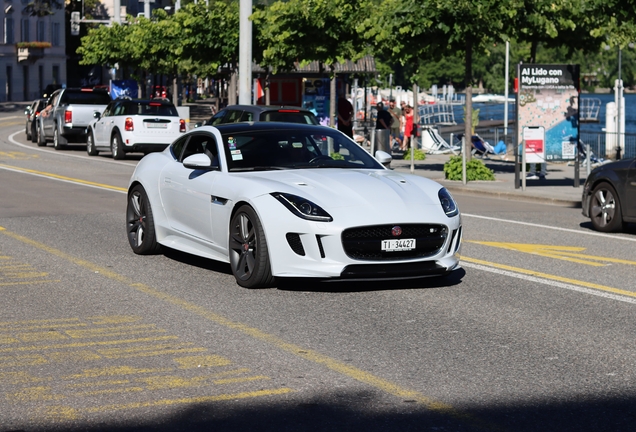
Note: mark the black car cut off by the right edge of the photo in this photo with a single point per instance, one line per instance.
(609, 195)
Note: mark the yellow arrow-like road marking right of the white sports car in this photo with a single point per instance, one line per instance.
(566, 253)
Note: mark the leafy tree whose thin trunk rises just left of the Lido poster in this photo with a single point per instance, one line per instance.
(408, 30)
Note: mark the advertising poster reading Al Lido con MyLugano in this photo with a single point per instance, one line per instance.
(548, 110)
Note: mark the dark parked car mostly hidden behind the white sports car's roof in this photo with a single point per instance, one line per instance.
(256, 113)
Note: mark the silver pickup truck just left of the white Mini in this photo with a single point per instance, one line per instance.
(67, 115)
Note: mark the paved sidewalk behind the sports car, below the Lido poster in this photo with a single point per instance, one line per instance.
(558, 187)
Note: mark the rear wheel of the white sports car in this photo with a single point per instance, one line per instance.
(140, 224)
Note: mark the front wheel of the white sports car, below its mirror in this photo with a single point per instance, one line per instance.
(249, 255)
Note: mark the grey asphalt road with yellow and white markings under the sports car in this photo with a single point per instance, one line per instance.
(536, 333)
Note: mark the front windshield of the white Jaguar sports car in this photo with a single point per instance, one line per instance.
(294, 149)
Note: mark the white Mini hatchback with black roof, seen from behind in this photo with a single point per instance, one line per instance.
(134, 125)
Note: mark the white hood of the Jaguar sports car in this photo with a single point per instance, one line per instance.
(340, 188)
